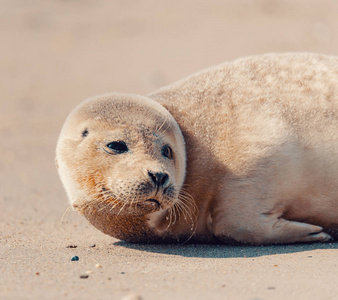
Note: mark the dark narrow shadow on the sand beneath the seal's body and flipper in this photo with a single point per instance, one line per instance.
(225, 251)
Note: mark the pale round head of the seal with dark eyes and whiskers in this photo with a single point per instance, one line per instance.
(121, 154)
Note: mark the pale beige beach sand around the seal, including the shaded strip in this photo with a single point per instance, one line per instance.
(55, 54)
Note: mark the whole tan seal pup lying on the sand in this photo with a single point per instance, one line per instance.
(246, 151)
